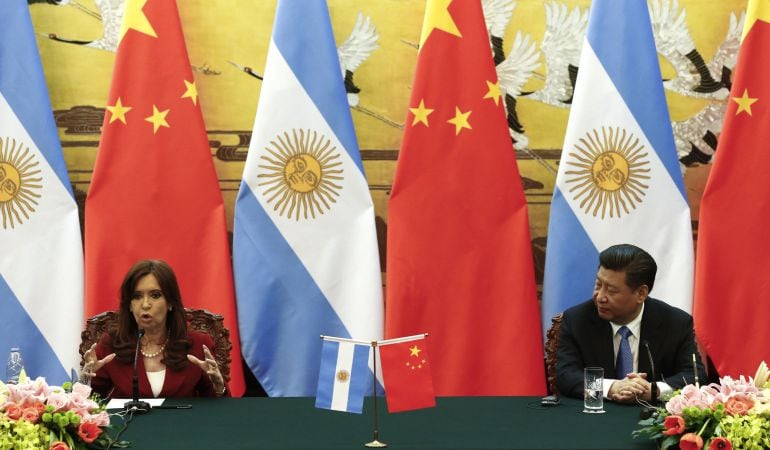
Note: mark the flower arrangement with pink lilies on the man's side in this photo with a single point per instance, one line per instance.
(734, 414)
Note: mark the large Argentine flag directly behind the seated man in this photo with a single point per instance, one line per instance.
(619, 179)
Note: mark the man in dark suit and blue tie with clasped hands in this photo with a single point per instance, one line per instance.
(614, 329)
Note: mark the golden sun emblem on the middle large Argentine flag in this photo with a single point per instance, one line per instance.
(300, 173)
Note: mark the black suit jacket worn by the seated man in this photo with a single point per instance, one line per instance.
(586, 340)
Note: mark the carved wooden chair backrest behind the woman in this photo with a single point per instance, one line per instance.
(197, 319)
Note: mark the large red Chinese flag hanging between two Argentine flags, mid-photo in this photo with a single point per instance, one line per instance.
(459, 255)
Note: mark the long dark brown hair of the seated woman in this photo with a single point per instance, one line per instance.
(123, 337)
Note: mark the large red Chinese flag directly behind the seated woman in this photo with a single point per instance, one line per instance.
(154, 192)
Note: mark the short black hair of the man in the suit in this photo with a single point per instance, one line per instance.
(639, 266)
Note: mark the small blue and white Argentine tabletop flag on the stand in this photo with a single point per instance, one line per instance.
(344, 377)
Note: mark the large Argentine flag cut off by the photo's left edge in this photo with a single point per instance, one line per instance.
(41, 263)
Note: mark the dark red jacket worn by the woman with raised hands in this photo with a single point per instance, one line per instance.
(115, 378)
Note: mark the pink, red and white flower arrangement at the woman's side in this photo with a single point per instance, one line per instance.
(34, 415)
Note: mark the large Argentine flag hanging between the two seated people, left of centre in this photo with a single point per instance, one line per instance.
(304, 246)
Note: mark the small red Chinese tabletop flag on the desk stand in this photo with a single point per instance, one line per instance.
(406, 374)
